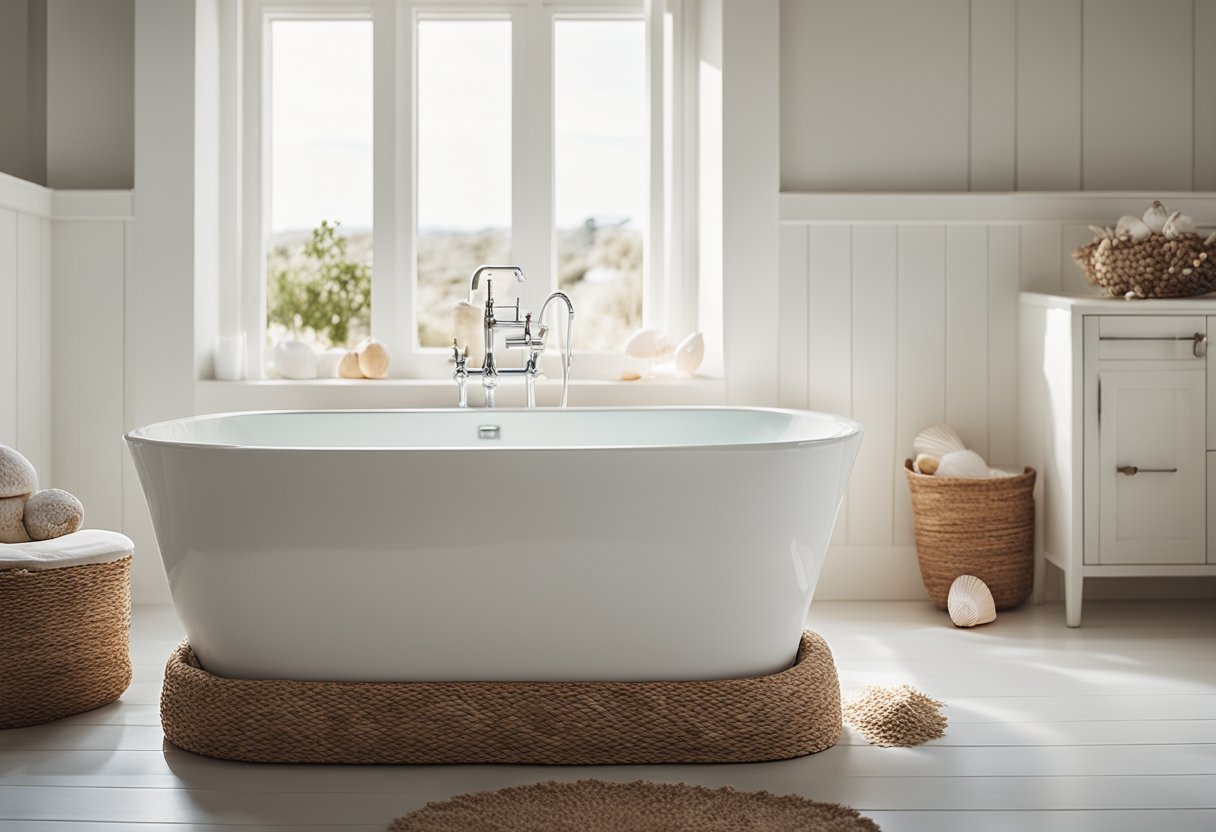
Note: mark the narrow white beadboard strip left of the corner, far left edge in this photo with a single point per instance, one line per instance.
(26, 322)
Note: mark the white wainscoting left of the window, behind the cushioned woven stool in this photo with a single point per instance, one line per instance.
(63, 286)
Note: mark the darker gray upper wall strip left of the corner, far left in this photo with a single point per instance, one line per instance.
(24, 89)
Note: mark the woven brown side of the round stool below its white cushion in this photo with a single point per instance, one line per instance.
(64, 640)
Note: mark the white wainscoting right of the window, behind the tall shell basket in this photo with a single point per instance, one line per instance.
(900, 311)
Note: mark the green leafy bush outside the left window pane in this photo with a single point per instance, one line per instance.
(319, 291)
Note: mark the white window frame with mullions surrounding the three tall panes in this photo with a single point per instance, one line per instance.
(669, 232)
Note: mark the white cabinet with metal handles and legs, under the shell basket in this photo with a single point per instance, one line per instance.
(1118, 413)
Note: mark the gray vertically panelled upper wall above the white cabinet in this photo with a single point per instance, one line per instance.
(998, 95)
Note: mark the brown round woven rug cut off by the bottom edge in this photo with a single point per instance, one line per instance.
(595, 806)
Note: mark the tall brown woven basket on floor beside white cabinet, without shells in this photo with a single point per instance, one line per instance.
(976, 527)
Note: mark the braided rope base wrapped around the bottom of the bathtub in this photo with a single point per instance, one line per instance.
(787, 715)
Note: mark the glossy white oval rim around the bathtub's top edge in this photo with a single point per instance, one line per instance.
(853, 429)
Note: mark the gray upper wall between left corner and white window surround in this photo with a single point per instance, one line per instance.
(91, 94)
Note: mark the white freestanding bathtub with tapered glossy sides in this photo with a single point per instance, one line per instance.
(579, 544)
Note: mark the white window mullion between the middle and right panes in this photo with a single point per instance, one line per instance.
(532, 151)
